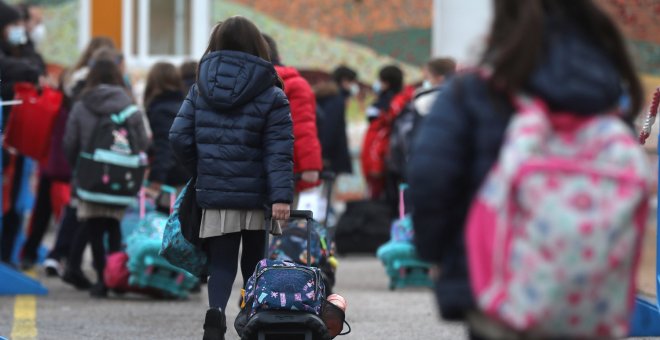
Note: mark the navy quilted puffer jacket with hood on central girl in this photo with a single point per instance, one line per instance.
(234, 130)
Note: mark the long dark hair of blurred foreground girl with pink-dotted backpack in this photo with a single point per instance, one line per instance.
(515, 45)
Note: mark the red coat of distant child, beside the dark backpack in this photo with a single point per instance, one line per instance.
(377, 139)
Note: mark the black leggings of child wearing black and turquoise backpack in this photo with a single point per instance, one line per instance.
(97, 228)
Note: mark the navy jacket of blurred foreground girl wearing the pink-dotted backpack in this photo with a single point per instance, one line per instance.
(460, 140)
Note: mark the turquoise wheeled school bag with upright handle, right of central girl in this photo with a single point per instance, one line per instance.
(399, 255)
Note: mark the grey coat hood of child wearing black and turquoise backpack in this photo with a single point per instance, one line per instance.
(106, 99)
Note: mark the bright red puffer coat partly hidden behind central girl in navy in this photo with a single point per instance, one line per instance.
(306, 147)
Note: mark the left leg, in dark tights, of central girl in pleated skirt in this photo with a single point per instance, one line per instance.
(223, 264)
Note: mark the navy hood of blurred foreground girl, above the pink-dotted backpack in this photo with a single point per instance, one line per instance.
(575, 75)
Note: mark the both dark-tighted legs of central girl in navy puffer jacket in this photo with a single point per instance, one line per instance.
(223, 262)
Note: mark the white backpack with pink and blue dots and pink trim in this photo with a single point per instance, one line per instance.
(553, 235)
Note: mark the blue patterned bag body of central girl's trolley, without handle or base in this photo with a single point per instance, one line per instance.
(284, 285)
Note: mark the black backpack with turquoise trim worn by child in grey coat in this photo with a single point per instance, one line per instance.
(110, 170)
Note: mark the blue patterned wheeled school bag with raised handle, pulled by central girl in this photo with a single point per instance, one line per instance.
(283, 299)
